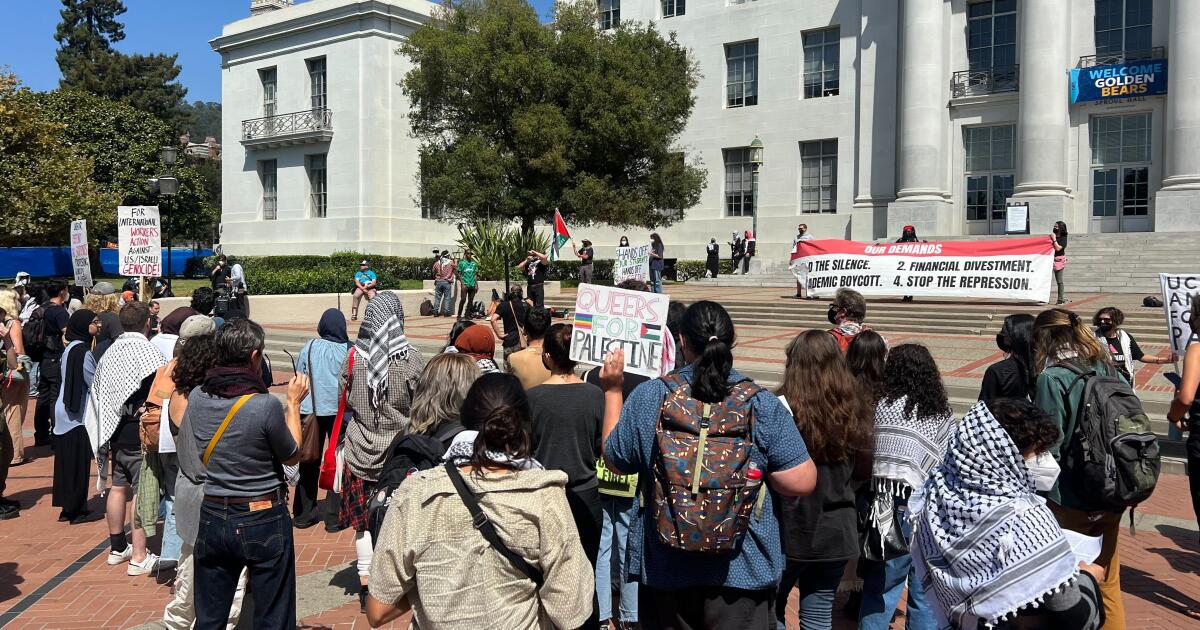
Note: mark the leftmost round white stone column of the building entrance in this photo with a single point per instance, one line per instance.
(922, 195)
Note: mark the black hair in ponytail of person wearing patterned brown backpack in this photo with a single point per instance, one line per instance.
(709, 332)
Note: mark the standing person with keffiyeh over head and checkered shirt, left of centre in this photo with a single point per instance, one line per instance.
(387, 370)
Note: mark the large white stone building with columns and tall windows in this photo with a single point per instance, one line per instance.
(873, 115)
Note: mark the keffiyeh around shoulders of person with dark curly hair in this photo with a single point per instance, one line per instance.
(907, 448)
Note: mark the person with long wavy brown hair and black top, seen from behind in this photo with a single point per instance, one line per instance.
(820, 532)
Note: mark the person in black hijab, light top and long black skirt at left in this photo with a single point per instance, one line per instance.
(73, 455)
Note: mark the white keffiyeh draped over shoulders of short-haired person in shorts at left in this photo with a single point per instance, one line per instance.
(129, 362)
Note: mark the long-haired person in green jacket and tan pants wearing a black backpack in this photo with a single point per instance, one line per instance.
(1063, 345)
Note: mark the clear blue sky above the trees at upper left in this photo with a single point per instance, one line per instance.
(183, 27)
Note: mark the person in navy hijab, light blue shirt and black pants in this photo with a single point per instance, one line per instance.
(322, 359)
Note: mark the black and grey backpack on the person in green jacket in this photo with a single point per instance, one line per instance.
(1114, 454)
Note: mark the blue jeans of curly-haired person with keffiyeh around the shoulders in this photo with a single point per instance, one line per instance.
(884, 583)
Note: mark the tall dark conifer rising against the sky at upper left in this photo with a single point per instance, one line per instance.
(89, 63)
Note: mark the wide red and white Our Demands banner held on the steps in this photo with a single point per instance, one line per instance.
(1011, 269)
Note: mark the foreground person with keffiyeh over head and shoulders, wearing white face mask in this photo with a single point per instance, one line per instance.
(987, 548)
